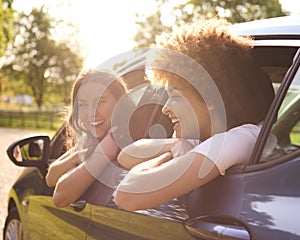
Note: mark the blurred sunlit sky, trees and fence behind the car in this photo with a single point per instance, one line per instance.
(44, 44)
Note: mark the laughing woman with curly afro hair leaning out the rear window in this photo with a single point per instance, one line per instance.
(217, 99)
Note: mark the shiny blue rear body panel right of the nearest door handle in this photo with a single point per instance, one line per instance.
(271, 201)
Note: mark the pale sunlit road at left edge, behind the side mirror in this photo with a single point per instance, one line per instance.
(9, 171)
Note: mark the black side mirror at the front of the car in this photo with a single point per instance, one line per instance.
(31, 151)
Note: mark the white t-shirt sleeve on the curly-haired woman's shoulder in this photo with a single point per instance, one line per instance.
(230, 148)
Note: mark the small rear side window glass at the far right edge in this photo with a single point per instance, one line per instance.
(285, 134)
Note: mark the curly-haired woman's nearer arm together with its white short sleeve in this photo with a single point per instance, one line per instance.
(148, 185)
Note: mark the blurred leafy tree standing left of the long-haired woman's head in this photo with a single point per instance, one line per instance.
(46, 66)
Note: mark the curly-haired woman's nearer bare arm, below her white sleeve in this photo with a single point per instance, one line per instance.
(149, 187)
